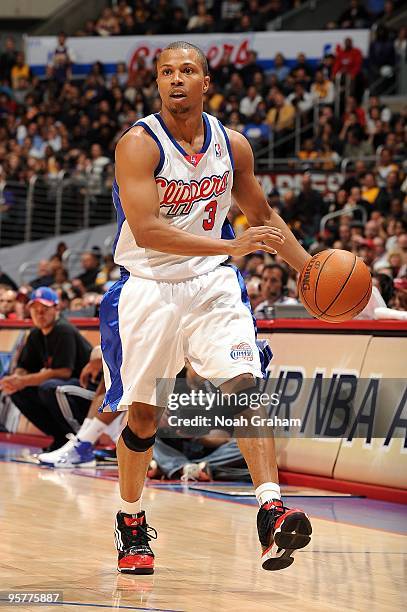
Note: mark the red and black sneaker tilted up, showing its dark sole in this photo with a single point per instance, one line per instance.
(281, 532)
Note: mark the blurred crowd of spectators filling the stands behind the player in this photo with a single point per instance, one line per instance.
(63, 127)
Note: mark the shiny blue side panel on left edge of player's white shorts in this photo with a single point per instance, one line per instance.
(111, 342)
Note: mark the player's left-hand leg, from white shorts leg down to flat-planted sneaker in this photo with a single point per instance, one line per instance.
(142, 353)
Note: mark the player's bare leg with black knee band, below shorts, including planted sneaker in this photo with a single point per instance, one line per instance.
(134, 453)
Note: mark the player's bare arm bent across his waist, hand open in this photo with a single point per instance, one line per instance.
(137, 156)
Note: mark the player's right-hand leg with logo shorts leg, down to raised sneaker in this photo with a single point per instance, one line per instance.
(222, 347)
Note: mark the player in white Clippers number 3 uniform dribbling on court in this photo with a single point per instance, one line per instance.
(176, 173)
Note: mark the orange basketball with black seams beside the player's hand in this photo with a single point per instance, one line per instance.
(335, 286)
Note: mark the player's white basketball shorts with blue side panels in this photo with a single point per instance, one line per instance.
(150, 327)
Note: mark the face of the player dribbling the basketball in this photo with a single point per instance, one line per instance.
(181, 80)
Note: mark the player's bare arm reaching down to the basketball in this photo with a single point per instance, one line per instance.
(250, 198)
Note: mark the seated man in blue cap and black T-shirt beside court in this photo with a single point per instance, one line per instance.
(52, 358)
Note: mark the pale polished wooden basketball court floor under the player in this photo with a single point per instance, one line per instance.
(57, 535)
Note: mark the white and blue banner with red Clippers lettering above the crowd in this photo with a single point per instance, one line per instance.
(114, 49)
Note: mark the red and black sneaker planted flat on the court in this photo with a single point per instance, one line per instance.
(132, 536)
